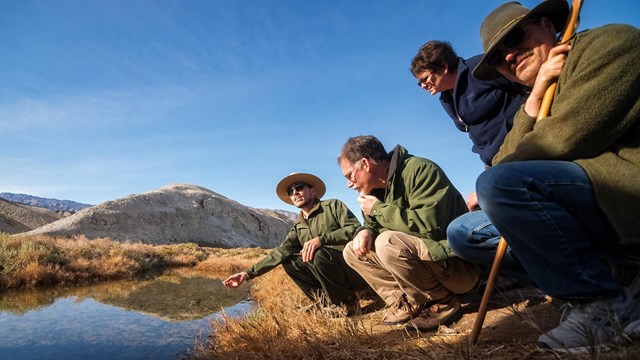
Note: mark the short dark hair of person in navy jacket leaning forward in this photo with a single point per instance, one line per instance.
(434, 56)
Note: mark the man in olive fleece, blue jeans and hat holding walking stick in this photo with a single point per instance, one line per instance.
(565, 190)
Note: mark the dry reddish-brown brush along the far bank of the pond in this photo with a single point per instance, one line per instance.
(40, 260)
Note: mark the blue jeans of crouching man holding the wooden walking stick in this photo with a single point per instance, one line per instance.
(547, 212)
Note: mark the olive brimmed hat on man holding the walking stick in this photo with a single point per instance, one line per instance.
(497, 25)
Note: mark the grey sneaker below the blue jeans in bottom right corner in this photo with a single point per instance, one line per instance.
(588, 326)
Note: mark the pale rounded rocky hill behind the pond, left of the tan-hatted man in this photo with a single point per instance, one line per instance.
(176, 213)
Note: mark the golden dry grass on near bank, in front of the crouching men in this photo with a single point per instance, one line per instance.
(277, 329)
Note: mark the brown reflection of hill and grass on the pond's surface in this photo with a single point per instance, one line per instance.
(171, 297)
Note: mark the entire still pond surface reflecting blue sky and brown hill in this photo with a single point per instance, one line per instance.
(152, 319)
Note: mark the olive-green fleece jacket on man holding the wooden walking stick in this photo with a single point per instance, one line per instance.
(593, 122)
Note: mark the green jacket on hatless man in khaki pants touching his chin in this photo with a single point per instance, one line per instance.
(419, 200)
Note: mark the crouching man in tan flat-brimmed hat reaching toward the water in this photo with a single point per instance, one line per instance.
(311, 253)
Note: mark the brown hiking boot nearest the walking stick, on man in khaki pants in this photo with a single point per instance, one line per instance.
(432, 316)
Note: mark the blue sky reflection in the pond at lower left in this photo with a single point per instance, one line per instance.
(83, 328)
